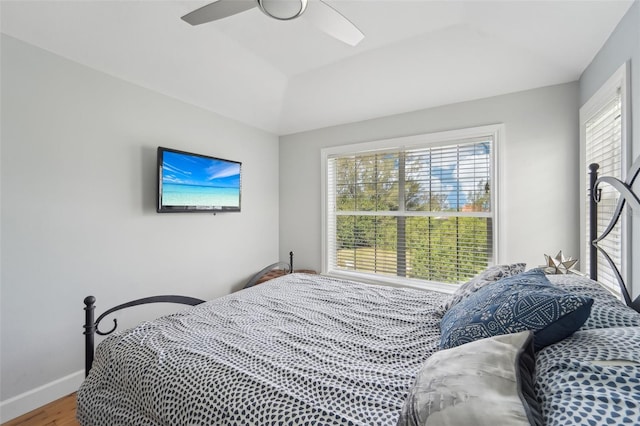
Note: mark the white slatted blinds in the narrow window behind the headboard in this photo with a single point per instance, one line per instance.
(603, 145)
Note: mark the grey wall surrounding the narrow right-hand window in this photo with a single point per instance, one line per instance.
(623, 45)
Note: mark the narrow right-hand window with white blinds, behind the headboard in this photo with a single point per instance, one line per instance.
(603, 141)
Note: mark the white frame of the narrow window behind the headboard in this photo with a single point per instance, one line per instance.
(619, 80)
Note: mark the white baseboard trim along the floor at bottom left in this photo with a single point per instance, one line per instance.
(34, 398)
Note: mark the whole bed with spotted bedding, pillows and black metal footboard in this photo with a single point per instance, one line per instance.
(511, 346)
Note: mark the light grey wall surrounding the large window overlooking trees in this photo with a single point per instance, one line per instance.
(540, 173)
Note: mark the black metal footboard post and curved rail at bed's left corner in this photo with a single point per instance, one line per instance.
(91, 326)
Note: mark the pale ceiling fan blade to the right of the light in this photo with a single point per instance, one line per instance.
(332, 22)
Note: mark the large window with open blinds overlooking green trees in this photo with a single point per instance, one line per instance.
(418, 208)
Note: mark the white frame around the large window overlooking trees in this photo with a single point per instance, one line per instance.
(496, 131)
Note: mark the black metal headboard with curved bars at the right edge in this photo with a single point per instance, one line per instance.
(628, 198)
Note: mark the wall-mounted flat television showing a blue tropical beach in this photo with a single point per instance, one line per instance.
(190, 182)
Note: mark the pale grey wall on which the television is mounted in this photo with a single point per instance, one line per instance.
(78, 212)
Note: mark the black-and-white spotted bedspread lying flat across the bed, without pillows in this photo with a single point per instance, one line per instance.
(298, 350)
